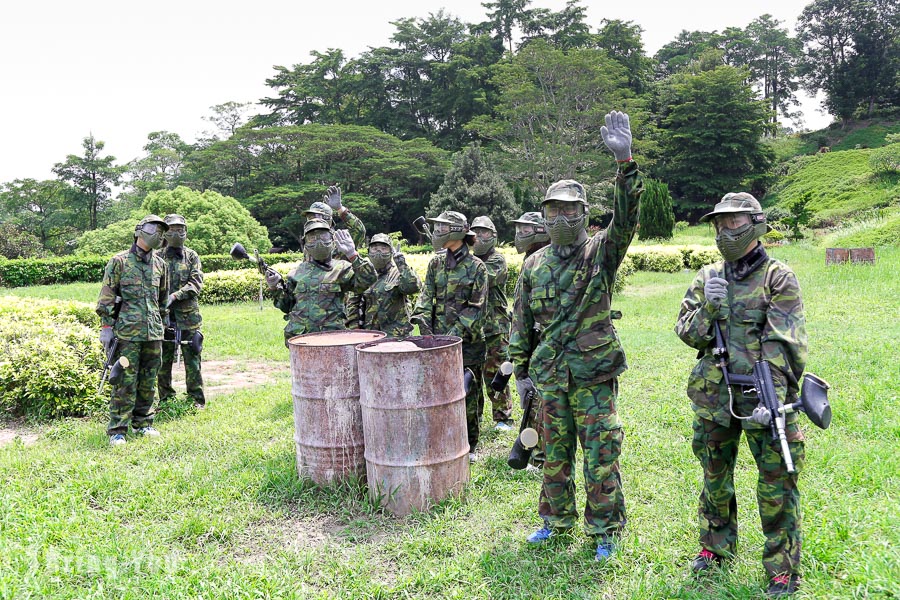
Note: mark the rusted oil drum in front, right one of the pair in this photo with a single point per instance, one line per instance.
(414, 420)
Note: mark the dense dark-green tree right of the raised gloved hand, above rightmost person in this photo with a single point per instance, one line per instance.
(712, 126)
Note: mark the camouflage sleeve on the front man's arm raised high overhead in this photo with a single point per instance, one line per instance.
(626, 210)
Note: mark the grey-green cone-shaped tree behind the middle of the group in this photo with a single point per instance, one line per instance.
(473, 187)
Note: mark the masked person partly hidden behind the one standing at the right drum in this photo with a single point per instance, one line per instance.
(496, 318)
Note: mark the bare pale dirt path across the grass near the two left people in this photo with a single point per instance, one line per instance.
(219, 377)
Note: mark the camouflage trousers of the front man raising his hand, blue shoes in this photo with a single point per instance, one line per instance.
(585, 414)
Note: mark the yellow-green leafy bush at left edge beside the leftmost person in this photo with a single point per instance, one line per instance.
(51, 358)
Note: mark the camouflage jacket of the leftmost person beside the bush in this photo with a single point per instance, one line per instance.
(140, 278)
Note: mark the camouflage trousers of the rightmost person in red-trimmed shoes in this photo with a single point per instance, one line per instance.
(777, 495)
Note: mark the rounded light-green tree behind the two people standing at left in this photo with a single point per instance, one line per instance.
(215, 223)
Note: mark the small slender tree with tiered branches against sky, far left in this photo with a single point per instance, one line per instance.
(93, 175)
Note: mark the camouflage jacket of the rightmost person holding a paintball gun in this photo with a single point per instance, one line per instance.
(762, 319)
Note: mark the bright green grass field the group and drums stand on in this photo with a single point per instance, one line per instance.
(214, 509)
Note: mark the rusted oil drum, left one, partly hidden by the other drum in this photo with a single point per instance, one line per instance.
(327, 418)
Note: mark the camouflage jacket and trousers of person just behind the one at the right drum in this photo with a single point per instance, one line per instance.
(496, 333)
